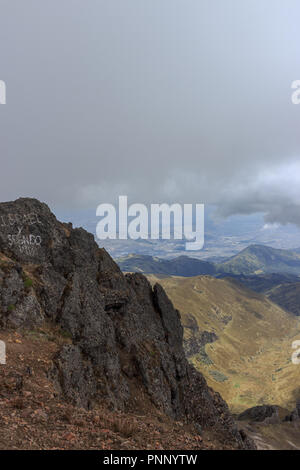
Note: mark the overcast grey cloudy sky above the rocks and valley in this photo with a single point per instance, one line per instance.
(162, 100)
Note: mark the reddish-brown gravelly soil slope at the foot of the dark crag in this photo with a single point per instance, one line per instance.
(34, 416)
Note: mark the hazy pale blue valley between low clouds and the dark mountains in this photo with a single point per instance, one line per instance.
(223, 238)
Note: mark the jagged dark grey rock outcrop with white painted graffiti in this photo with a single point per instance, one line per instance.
(126, 337)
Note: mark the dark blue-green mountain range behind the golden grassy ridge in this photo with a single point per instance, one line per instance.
(269, 271)
